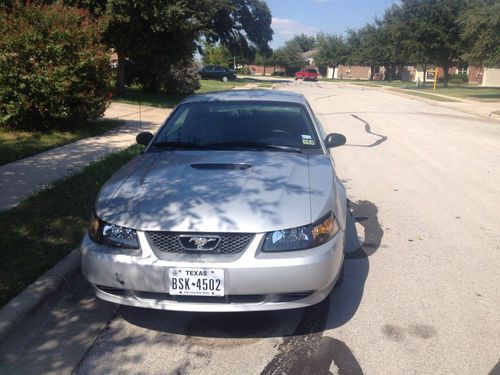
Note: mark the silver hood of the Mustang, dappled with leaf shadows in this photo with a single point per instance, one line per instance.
(218, 191)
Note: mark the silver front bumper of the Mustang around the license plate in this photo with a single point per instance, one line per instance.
(254, 281)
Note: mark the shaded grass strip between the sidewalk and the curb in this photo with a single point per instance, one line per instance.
(48, 225)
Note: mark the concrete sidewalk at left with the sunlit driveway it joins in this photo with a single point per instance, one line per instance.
(24, 177)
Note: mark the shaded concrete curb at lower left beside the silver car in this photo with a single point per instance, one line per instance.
(25, 303)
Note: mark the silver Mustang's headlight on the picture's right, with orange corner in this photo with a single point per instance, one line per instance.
(301, 238)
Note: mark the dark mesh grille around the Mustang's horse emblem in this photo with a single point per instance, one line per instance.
(231, 243)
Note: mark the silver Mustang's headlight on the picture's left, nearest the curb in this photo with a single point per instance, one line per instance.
(112, 234)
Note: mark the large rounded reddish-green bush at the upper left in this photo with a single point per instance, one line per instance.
(53, 68)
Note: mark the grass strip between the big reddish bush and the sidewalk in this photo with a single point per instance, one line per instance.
(17, 144)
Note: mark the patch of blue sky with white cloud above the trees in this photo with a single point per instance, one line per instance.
(292, 17)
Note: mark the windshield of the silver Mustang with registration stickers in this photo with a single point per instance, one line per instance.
(258, 125)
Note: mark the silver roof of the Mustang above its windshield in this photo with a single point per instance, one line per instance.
(247, 95)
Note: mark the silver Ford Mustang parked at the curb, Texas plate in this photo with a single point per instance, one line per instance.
(234, 205)
